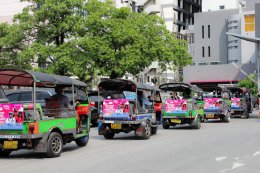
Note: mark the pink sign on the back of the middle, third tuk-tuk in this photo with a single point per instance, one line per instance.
(176, 106)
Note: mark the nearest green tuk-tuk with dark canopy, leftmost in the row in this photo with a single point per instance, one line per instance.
(27, 126)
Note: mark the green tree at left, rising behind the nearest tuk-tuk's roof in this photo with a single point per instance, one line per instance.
(52, 27)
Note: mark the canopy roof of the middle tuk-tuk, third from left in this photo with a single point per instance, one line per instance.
(178, 87)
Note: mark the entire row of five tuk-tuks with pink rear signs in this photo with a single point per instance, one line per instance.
(126, 106)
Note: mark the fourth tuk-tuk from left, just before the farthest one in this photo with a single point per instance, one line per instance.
(217, 103)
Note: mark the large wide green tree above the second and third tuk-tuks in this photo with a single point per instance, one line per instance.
(128, 42)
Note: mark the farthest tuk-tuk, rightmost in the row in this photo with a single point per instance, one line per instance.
(240, 101)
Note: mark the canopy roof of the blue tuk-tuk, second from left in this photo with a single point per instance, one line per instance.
(124, 85)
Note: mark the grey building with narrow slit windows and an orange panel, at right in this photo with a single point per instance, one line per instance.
(218, 57)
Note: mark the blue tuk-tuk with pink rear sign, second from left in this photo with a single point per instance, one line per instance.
(128, 106)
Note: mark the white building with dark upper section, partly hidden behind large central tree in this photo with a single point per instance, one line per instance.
(178, 14)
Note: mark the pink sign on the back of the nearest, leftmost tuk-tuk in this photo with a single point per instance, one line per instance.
(11, 116)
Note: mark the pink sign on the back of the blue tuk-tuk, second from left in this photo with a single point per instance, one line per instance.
(115, 107)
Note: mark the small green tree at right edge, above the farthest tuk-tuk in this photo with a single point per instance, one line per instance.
(249, 82)
